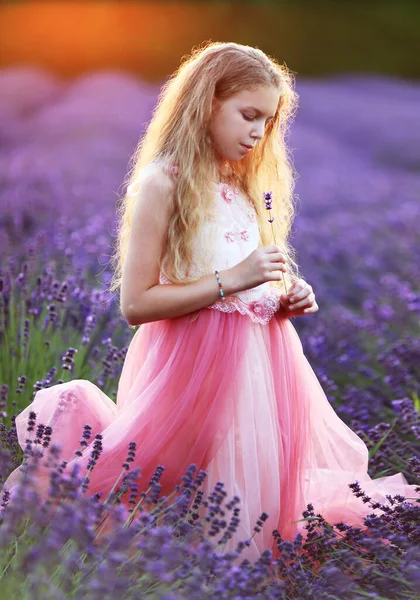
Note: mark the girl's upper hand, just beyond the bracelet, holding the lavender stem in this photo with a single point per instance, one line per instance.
(263, 264)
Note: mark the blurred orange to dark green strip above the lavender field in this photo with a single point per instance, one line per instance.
(148, 39)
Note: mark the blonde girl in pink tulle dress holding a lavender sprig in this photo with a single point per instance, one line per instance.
(216, 374)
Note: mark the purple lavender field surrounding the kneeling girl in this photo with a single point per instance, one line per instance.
(64, 151)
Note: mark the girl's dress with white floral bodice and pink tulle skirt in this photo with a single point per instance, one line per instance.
(229, 389)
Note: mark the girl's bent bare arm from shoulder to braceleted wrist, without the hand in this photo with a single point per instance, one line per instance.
(143, 299)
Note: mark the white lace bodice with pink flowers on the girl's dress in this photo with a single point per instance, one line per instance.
(225, 240)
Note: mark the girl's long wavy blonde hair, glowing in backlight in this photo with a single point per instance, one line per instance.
(178, 135)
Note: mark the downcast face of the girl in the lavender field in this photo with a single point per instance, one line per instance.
(241, 121)
